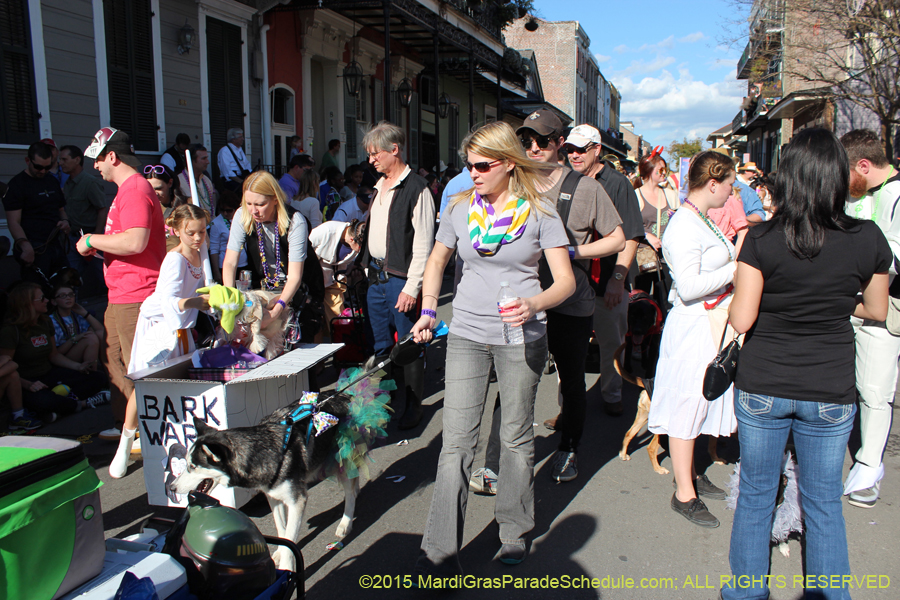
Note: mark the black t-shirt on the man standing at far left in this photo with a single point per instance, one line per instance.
(39, 200)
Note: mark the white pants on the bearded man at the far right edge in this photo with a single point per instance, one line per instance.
(877, 352)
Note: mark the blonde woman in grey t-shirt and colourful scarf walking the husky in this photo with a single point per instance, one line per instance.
(501, 229)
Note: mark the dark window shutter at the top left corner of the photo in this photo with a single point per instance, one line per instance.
(18, 97)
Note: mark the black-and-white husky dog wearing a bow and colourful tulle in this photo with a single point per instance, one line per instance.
(260, 458)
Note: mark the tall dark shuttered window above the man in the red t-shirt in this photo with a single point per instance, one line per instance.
(129, 60)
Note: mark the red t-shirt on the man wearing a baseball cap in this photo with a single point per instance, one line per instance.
(131, 279)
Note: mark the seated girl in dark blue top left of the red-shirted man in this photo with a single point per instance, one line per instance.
(77, 332)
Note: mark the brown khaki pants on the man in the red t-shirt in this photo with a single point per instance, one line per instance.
(120, 322)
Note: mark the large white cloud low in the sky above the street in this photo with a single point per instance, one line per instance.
(671, 107)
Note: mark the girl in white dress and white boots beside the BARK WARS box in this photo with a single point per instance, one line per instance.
(162, 327)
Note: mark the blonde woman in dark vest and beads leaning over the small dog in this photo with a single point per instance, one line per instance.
(275, 236)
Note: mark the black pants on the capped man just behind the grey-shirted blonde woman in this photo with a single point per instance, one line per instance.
(568, 338)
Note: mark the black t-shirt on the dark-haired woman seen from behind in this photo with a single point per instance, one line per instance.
(801, 346)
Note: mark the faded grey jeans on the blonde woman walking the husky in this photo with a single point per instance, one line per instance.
(468, 374)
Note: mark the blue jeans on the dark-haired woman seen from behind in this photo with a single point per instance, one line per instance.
(821, 431)
